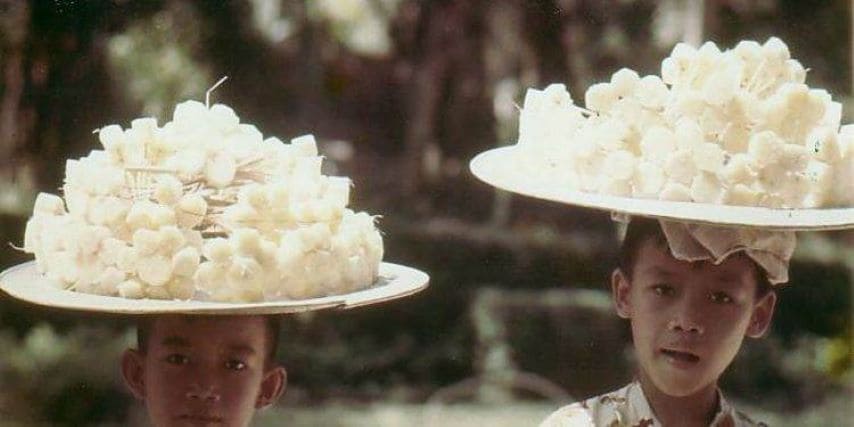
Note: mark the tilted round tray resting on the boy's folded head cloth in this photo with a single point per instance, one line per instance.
(494, 168)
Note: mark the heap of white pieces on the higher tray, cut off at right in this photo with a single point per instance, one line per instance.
(737, 127)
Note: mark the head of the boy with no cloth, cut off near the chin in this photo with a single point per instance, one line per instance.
(204, 371)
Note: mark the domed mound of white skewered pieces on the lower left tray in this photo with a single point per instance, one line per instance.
(203, 208)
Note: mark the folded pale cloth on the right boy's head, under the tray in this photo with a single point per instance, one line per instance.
(770, 249)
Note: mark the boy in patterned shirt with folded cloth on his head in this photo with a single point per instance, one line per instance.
(691, 293)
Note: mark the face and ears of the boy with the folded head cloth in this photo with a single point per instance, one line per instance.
(688, 319)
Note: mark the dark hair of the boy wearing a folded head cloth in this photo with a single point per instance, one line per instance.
(641, 229)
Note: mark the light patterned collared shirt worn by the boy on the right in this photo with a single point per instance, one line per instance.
(628, 407)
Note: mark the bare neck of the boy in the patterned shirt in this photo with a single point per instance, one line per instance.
(698, 409)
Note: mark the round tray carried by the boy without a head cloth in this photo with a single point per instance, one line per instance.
(24, 282)
